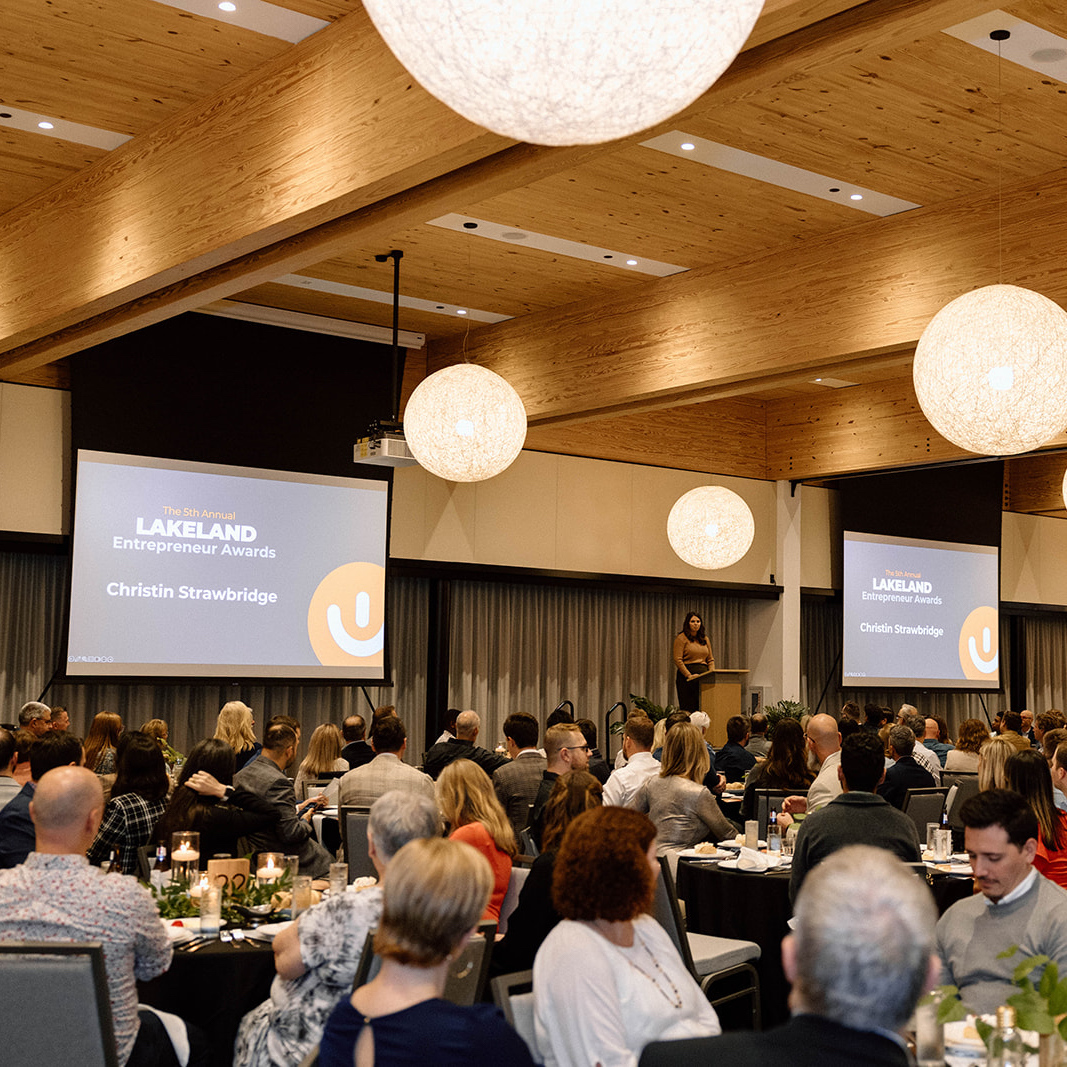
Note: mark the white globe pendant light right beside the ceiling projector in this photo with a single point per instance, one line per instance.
(465, 424)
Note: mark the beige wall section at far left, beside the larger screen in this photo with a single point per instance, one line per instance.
(35, 452)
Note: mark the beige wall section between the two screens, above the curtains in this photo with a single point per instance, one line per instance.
(562, 513)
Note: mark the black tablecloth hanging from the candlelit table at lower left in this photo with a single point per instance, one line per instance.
(213, 989)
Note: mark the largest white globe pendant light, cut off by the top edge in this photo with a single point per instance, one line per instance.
(566, 72)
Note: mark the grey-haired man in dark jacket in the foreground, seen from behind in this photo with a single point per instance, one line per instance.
(861, 957)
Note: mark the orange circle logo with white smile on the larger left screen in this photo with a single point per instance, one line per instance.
(346, 619)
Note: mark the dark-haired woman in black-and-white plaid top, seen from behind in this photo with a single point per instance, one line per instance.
(138, 802)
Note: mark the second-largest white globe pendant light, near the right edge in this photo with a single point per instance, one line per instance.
(991, 371)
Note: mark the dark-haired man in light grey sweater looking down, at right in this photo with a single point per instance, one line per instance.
(1017, 906)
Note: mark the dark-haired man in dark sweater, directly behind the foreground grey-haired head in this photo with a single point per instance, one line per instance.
(857, 817)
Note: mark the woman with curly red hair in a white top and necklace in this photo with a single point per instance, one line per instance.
(609, 980)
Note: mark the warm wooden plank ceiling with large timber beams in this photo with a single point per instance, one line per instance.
(251, 160)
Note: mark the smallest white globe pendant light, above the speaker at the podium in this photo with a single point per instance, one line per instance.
(711, 528)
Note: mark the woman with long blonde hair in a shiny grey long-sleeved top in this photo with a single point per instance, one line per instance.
(678, 802)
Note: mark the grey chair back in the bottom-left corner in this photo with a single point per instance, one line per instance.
(72, 975)
